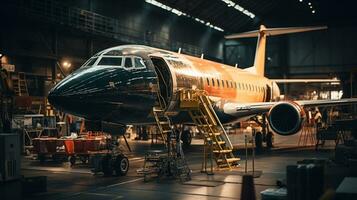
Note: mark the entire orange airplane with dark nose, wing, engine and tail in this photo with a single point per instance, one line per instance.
(121, 84)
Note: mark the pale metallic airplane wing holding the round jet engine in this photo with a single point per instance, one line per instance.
(247, 109)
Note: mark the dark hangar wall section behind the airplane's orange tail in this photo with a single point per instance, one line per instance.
(333, 50)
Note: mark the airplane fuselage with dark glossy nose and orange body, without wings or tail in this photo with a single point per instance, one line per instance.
(121, 84)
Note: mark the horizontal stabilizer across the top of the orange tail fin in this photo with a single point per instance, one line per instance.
(274, 31)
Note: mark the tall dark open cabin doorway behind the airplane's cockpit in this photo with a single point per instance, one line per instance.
(164, 81)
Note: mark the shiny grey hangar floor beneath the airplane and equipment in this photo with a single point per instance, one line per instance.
(64, 182)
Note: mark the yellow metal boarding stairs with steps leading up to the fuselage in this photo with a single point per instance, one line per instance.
(200, 109)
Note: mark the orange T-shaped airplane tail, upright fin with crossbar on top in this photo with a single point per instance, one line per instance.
(259, 61)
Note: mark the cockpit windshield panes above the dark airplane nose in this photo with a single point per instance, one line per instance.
(127, 62)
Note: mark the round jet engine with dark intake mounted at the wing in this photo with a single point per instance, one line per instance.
(286, 118)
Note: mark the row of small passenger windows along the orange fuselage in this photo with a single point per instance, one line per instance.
(232, 84)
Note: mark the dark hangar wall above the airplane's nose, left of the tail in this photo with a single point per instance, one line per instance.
(39, 35)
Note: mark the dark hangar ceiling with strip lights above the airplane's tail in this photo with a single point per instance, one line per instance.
(271, 13)
